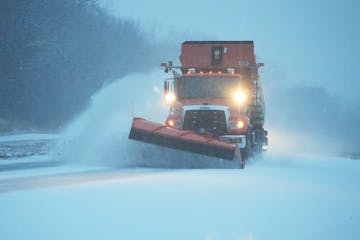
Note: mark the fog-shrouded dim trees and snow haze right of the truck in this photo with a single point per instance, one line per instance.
(309, 118)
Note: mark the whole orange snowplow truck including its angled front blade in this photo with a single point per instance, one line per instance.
(216, 103)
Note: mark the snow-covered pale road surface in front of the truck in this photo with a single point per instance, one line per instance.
(276, 197)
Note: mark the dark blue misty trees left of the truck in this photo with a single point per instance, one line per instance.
(55, 54)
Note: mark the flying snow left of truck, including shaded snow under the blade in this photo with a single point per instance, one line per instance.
(100, 134)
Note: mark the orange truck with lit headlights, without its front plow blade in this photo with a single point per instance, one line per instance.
(217, 93)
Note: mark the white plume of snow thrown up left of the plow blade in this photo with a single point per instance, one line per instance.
(100, 134)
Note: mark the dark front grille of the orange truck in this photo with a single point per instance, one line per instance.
(202, 121)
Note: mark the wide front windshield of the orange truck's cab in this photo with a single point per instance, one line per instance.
(205, 86)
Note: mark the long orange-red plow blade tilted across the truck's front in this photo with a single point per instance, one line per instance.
(159, 134)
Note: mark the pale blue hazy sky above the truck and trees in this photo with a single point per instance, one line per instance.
(307, 42)
